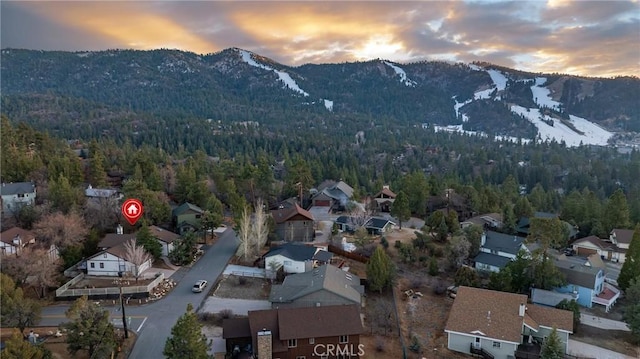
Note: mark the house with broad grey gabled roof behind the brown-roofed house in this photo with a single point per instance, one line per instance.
(323, 286)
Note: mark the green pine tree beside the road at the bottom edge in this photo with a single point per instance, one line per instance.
(187, 340)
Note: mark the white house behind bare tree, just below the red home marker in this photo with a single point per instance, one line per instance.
(111, 261)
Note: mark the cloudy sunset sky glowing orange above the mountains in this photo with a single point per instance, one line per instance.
(588, 38)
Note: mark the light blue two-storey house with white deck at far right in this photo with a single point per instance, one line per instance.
(588, 283)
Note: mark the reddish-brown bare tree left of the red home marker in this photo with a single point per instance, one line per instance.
(61, 229)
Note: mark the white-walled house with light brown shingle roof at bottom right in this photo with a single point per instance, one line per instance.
(502, 325)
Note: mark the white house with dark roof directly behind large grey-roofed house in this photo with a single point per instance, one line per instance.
(295, 258)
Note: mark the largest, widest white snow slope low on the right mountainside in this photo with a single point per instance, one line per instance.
(592, 133)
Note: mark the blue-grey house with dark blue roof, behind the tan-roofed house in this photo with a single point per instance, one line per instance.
(498, 249)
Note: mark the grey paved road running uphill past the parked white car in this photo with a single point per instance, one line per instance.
(154, 321)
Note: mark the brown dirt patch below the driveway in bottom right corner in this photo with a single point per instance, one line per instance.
(616, 340)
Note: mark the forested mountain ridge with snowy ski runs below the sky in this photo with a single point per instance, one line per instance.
(234, 81)
